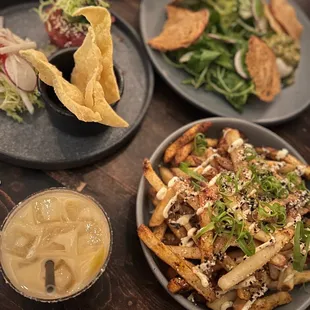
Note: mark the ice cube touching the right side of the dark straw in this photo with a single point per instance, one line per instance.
(64, 277)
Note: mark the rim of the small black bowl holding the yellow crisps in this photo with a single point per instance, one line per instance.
(64, 111)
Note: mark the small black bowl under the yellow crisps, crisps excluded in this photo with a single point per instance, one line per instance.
(60, 116)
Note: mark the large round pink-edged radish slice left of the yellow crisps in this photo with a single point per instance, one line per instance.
(20, 73)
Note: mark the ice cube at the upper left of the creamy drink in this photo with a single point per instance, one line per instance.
(47, 210)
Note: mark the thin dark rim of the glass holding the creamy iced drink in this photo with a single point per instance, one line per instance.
(103, 267)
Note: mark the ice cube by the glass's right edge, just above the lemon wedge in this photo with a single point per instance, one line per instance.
(90, 237)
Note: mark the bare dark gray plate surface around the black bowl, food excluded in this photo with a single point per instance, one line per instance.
(36, 143)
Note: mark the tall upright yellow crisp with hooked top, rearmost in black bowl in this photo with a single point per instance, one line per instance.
(100, 20)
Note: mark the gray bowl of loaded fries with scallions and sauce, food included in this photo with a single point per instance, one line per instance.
(224, 222)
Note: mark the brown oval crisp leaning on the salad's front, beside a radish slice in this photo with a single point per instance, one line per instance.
(261, 63)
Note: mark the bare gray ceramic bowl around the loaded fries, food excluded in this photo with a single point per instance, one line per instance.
(257, 135)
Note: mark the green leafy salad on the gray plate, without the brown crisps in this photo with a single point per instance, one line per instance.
(216, 61)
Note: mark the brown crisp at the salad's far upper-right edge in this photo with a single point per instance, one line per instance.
(286, 16)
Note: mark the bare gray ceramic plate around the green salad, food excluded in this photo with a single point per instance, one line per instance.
(292, 100)
